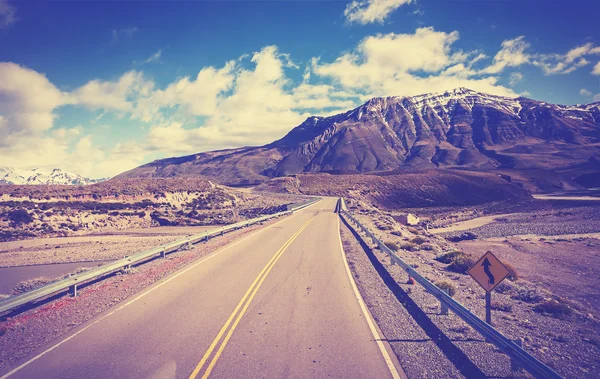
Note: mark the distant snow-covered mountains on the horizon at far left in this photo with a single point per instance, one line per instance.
(39, 176)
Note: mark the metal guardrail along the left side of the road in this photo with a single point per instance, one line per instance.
(71, 283)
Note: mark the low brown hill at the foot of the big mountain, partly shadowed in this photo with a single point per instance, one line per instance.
(407, 190)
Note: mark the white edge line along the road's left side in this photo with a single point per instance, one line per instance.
(16, 369)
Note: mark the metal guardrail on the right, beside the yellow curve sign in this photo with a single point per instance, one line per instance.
(522, 358)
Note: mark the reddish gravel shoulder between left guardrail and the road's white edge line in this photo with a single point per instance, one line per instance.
(24, 332)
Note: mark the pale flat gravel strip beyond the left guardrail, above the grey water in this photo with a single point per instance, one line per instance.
(89, 248)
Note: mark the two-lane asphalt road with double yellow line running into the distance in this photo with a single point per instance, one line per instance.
(278, 303)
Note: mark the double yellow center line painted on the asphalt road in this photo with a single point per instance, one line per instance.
(239, 312)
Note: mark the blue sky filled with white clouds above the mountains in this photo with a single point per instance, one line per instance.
(101, 87)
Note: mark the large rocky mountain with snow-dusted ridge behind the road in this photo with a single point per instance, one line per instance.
(460, 128)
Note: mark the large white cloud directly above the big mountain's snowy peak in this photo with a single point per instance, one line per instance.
(408, 64)
